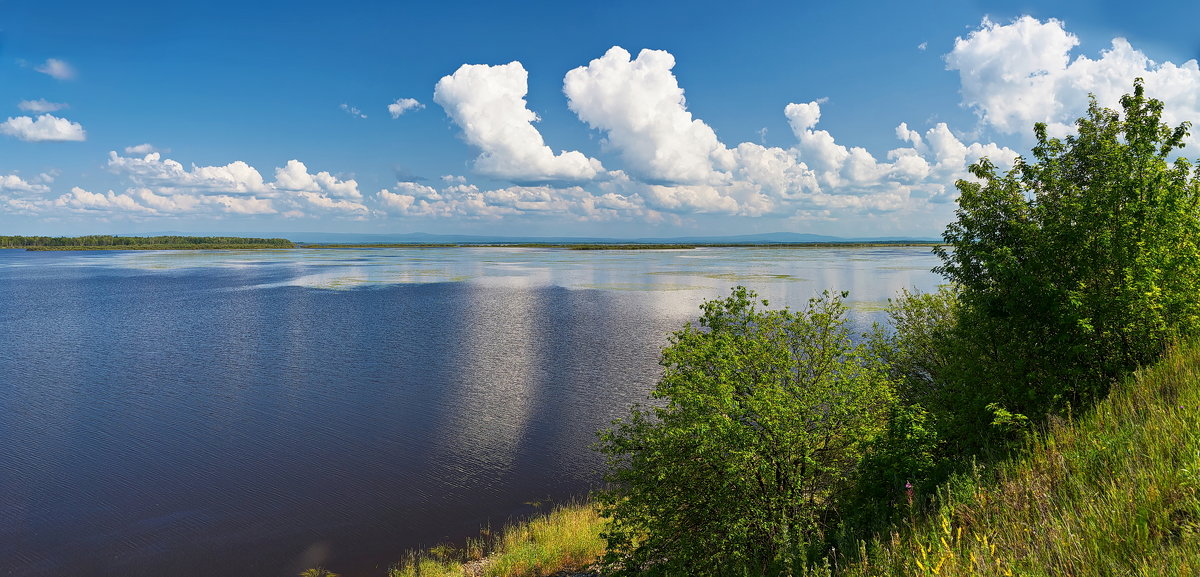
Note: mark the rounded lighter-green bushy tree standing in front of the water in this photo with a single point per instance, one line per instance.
(761, 419)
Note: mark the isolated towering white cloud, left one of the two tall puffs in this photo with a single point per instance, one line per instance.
(488, 103)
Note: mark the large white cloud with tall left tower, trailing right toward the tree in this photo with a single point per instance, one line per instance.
(675, 164)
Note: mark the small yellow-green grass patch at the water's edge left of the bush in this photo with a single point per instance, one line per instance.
(568, 538)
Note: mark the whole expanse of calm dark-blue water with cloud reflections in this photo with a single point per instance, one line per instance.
(256, 413)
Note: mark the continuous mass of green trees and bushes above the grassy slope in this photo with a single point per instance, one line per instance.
(776, 435)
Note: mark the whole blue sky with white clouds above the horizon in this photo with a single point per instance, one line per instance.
(617, 119)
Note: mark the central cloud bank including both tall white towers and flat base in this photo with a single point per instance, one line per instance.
(670, 161)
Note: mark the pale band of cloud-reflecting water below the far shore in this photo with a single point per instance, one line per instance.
(787, 277)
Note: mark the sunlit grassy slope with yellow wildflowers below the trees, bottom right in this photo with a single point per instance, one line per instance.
(1115, 492)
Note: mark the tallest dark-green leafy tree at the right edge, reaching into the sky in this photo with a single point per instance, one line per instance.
(1076, 268)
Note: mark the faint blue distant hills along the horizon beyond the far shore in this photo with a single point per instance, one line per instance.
(470, 239)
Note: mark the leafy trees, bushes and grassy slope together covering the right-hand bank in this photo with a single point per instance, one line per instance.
(1041, 416)
